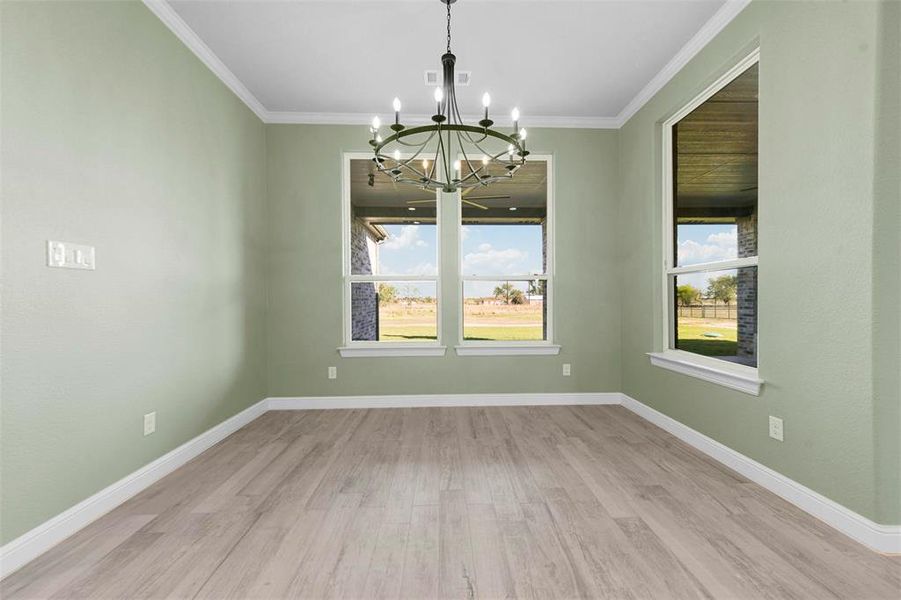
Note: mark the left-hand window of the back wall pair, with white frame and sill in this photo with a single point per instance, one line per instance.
(391, 258)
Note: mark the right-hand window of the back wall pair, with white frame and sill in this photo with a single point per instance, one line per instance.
(506, 243)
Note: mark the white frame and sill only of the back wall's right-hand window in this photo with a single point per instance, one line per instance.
(500, 347)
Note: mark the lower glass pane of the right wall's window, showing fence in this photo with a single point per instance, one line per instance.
(716, 314)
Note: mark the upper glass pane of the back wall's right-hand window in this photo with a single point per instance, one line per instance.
(505, 225)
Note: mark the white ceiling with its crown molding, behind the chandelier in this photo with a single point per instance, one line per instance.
(559, 61)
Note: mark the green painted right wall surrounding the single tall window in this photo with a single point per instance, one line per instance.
(818, 117)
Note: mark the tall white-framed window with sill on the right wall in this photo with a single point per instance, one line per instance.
(710, 231)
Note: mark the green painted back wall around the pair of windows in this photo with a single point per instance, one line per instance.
(305, 291)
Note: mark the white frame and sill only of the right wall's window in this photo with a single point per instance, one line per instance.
(733, 375)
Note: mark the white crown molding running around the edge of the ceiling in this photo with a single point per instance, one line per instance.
(189, 38)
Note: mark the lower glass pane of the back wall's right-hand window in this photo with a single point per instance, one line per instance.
(504, 311)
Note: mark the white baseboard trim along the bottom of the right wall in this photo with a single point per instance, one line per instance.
(882, 538)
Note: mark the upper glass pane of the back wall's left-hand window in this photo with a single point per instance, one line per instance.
(392, 229)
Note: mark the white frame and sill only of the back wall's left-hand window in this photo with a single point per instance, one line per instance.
(367, 348)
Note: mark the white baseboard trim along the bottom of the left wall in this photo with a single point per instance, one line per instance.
(32, 544)
